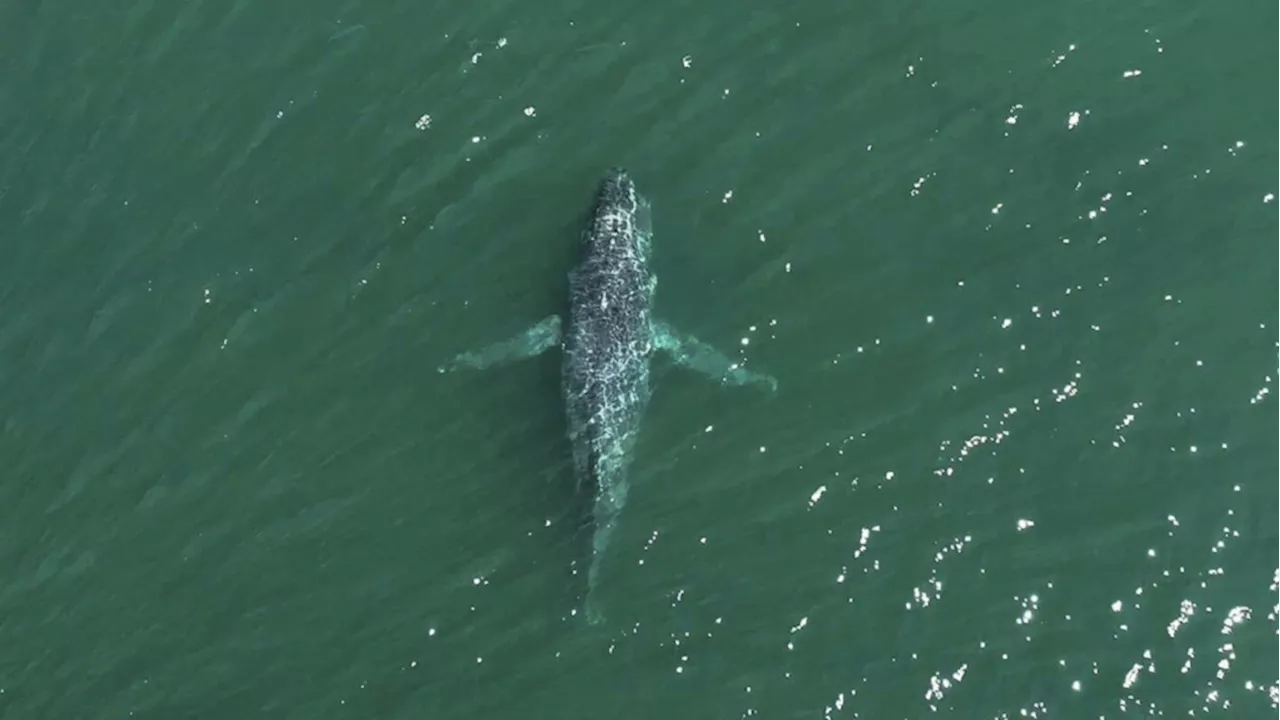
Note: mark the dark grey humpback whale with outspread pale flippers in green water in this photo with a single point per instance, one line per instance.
(607, 343)
